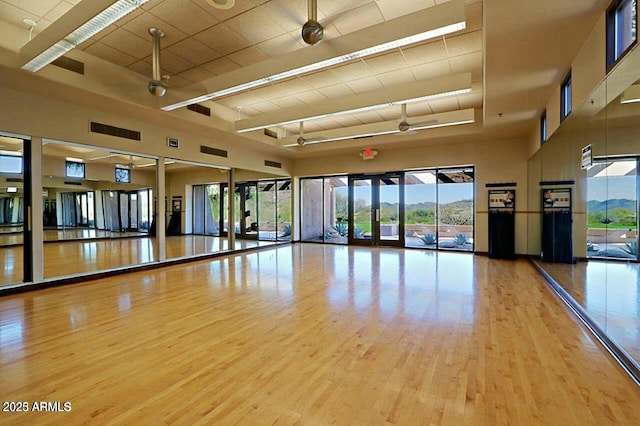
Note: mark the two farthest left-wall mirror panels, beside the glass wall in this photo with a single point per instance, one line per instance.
(198, 202)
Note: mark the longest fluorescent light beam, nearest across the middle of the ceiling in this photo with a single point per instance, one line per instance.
(429, 23)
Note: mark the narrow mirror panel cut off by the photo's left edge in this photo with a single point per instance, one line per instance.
(11, 209)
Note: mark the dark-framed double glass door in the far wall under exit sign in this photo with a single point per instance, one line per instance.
(375, 213)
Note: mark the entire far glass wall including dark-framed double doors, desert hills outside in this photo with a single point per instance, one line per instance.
(434, 210)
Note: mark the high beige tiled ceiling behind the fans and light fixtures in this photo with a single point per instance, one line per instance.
(512, 51)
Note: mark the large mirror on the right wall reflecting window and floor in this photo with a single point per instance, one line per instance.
(604, 281)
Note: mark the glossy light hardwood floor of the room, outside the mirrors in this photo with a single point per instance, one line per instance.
(311, 334)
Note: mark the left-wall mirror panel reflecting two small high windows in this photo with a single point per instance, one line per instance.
(102, 220)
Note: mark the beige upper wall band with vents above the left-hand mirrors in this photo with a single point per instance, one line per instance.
(32, 115)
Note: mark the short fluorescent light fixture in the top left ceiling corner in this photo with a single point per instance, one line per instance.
(80, 23)
